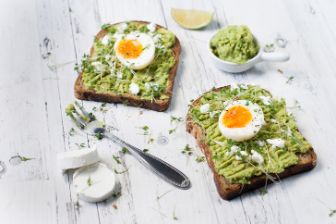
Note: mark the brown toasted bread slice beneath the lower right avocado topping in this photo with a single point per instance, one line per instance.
(227, 190)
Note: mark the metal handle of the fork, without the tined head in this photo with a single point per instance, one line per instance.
(162, 169)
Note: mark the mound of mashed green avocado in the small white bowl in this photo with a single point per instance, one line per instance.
(234, 44)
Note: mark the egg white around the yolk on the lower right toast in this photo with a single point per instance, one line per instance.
(251, 129)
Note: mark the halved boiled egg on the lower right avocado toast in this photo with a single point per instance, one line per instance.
(241, 120)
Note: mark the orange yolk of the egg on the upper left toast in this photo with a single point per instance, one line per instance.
(129, 48)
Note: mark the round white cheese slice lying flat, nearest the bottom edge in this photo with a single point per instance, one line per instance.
(94, 183)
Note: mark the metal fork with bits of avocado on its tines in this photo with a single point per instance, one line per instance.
(89, 124)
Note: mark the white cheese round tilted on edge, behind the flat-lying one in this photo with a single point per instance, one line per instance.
(77, 158)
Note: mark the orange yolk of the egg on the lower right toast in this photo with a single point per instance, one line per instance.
(237, 117)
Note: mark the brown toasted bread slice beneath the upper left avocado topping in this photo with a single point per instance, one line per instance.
(83, 93)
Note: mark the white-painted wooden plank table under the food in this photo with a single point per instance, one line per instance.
(41, 40)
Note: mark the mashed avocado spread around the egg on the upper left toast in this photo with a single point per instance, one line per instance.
(104, 73)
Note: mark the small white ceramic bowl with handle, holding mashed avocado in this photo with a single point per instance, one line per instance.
(237, 68)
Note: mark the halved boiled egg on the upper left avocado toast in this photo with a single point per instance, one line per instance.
(136, 50)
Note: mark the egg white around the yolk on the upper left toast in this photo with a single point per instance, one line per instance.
(146, 56)
